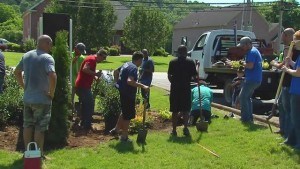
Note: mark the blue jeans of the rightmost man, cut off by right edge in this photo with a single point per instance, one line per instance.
(294, 134)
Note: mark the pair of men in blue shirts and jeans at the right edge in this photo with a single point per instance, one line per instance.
(289, 99)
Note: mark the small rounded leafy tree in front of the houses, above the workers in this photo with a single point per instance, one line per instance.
(146, 28)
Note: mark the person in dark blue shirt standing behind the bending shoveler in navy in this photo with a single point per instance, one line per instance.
(146, 74)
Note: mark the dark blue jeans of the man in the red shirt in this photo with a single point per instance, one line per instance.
(87, 101)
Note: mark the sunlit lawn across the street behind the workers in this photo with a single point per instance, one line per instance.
(112, 62)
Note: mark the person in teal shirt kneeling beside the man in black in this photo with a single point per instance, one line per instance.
(206, 99)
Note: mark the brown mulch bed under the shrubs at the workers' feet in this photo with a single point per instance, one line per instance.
(11, 137)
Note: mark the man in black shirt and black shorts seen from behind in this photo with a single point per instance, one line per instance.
(181, 72)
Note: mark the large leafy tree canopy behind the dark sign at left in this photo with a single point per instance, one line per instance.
(93, 20)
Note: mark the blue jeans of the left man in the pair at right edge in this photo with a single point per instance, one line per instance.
(285, 111)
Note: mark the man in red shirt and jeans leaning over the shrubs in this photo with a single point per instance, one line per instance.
(83, 84)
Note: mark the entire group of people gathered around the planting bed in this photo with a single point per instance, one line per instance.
(39, 85)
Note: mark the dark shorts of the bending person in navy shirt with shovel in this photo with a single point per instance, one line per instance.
(128, 107)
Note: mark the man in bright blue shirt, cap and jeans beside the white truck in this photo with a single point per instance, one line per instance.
(253, 78)
